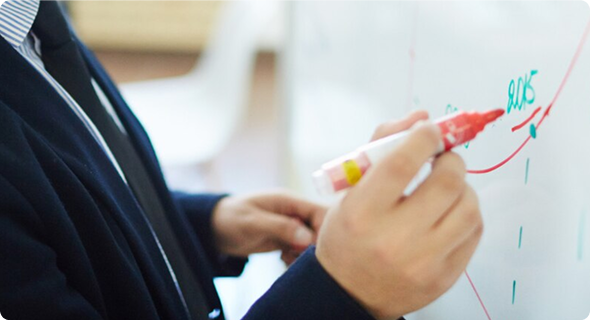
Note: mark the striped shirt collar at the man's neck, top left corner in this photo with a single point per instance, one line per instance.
(16, 19)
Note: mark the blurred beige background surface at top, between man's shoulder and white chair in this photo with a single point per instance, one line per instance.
(145, 25)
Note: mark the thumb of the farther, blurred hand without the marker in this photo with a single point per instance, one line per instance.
(288, 231)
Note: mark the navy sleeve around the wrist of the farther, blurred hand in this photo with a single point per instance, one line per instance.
(199, 210)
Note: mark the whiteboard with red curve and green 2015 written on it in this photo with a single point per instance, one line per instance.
(353, 64)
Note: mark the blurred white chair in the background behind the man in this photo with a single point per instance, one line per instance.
(191, 118)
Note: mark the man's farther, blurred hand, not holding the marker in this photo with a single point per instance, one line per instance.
(264, 223)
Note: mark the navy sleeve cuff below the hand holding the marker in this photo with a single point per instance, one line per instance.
(307, 292)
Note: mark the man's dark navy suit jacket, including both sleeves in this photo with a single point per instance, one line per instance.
(74, 243)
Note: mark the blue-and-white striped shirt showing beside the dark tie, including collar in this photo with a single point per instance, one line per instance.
(16, 21)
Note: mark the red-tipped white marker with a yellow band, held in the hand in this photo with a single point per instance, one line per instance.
(346, 171)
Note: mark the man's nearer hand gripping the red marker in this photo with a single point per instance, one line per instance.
(394, 253)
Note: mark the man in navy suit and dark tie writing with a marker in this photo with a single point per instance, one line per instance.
(89, 229)
